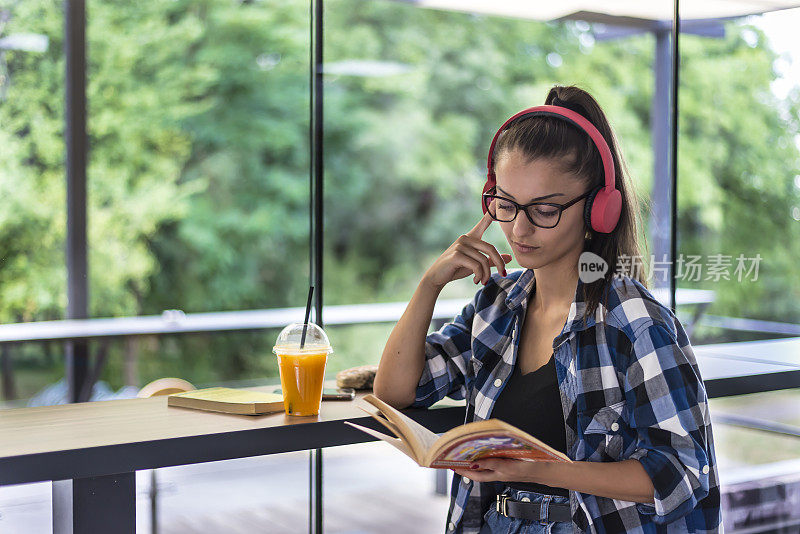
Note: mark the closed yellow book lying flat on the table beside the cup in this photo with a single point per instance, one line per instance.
(227, 400)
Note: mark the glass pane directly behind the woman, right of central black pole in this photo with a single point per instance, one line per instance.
(413, 97)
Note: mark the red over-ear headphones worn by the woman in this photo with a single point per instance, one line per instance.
(604, 204)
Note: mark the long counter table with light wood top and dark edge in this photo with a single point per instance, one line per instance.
(91, 451)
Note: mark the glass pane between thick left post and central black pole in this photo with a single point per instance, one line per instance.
(198, 117)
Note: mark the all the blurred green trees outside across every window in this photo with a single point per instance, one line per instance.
(199, 167)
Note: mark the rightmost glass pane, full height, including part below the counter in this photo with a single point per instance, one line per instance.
(738, 230)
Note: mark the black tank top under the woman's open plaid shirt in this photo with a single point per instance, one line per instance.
(532, 402)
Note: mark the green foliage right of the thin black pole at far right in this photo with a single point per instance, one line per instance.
(739, 169)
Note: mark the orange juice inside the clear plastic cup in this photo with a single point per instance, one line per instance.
(301, 381)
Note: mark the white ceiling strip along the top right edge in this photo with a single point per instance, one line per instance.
(641, 9)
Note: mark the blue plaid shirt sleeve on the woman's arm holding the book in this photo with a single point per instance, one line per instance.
(671, 418)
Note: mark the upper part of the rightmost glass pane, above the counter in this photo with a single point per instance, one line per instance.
(738, 185)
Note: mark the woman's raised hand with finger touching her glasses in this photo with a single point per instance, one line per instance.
(467, 255)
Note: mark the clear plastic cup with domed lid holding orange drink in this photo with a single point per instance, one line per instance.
(302, 370)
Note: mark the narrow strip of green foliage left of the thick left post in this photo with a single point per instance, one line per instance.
(32, 222)
